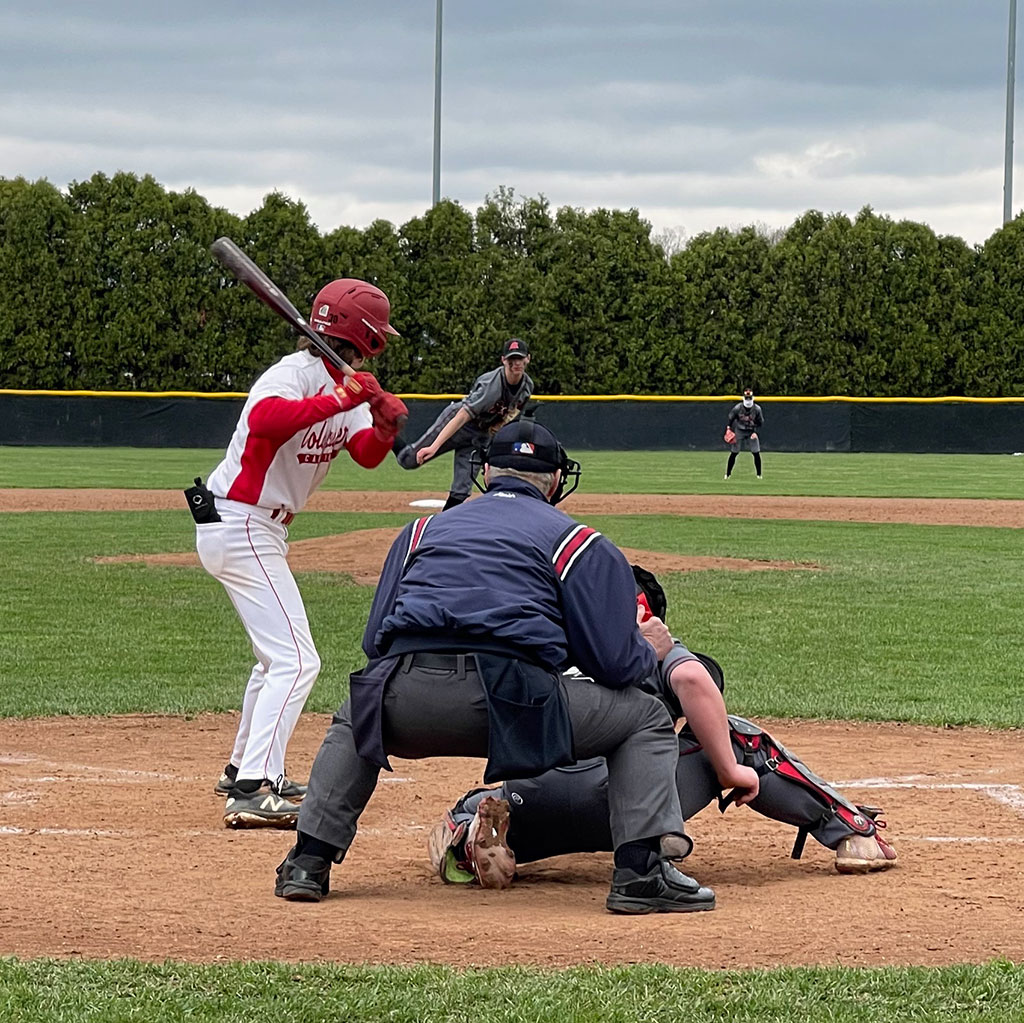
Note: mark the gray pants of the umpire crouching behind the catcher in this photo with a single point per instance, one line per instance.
(434, 712)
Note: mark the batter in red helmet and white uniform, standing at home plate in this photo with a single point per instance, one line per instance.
(298, 417)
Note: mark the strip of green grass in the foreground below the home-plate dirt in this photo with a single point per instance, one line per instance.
(124, 992)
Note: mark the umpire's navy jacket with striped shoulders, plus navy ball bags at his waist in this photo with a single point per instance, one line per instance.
(509, 578)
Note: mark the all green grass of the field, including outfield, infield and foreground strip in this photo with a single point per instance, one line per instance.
(921, 624)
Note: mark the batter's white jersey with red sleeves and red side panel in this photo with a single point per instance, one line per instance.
(290, 432)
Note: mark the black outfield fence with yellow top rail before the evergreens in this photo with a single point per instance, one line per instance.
(96, 419)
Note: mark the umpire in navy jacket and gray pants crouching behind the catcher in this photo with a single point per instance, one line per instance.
(478, 612)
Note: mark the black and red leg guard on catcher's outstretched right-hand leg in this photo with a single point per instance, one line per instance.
(791, 792)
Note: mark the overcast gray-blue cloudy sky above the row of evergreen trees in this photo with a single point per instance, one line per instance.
(699, 113)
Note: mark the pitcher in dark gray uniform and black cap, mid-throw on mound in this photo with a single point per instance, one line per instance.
(497, 398)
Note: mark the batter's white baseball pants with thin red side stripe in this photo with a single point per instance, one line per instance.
(246, 553)
